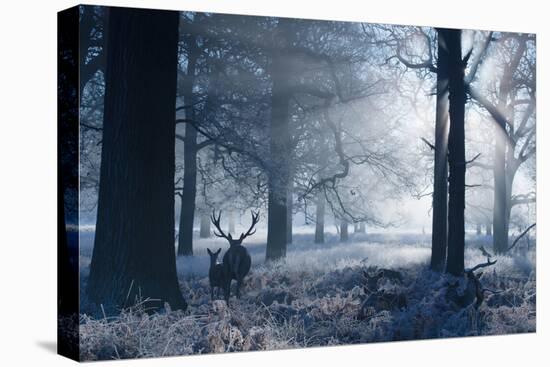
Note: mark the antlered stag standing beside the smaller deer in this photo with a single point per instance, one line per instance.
(236, 260)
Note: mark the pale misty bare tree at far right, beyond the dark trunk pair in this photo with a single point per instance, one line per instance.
(510, 100)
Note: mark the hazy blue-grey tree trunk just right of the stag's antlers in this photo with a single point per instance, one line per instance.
(278, 177)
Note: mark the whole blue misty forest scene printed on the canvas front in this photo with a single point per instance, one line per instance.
(256, 183)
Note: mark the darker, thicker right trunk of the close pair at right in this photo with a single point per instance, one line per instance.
(457, 157)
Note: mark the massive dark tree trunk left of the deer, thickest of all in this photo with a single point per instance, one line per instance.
(133, 253)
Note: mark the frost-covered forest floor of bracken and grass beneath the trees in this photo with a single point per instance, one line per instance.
(317, 296)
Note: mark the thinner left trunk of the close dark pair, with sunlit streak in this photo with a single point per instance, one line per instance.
(439, 218)
